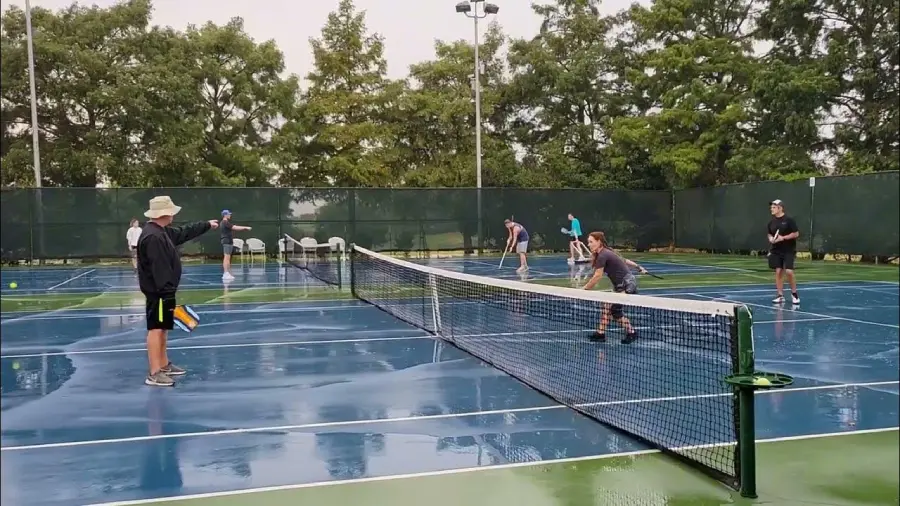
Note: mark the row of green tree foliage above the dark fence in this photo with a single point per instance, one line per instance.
(672, 94)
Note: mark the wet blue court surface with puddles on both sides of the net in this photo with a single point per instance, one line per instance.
(280, 394)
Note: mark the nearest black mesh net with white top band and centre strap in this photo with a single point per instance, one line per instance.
(666, 388)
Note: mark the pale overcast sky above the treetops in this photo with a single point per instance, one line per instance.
(410, 28)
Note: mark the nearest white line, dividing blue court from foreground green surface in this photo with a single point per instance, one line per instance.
(463, 470)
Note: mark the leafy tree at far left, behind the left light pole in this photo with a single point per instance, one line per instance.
(80, 58)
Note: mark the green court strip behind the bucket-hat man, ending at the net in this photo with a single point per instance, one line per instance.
(50, 302)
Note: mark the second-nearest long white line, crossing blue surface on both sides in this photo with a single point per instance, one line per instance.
(425, 418)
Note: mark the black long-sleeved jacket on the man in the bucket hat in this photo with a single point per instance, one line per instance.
(159, 262)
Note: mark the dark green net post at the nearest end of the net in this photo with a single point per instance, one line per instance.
(747, 433)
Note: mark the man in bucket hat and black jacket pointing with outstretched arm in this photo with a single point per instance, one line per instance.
(159, 273)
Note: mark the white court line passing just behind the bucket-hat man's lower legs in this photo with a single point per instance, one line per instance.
(363, 340)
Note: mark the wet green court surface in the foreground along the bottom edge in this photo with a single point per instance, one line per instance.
(844, 470)
